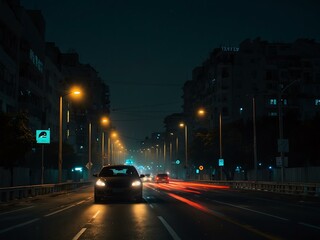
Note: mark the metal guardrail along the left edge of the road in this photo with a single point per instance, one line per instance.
(12, 193)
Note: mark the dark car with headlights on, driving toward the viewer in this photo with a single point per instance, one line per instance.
(118, 182)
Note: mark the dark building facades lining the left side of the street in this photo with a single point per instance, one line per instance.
(34, 74)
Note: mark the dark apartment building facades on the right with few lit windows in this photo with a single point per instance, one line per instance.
(258, 71)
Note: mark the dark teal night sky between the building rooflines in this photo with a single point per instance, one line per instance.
(146, 49)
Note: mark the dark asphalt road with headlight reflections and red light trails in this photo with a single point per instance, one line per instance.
(178, 210)
